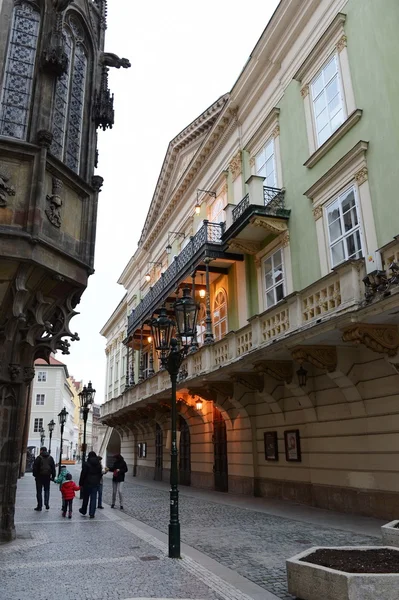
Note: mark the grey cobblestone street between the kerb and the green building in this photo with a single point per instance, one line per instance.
(255, 544)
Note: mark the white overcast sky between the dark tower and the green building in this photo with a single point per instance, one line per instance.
(184, 55)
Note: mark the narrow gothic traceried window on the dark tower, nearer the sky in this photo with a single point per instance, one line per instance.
(70, 98)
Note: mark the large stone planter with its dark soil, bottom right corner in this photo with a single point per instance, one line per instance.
(347, 573)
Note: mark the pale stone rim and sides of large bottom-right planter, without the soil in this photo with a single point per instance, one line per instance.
(307, 581)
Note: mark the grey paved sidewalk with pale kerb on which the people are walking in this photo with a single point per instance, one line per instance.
(111, 557)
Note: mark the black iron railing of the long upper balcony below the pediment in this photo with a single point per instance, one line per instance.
(209, 234)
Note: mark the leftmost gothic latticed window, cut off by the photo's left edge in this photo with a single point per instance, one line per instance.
(19, 70)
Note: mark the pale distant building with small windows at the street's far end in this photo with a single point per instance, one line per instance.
(51, 392)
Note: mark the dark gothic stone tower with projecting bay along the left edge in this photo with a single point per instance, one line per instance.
(53, 97)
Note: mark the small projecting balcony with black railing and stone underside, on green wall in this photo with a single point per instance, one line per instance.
(259, 215)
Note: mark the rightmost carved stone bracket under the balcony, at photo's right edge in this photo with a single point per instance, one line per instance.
(383, 339)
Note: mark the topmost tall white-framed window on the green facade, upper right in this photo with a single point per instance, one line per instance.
(328, 106)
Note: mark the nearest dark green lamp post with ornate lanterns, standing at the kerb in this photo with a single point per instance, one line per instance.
(171, 357)
